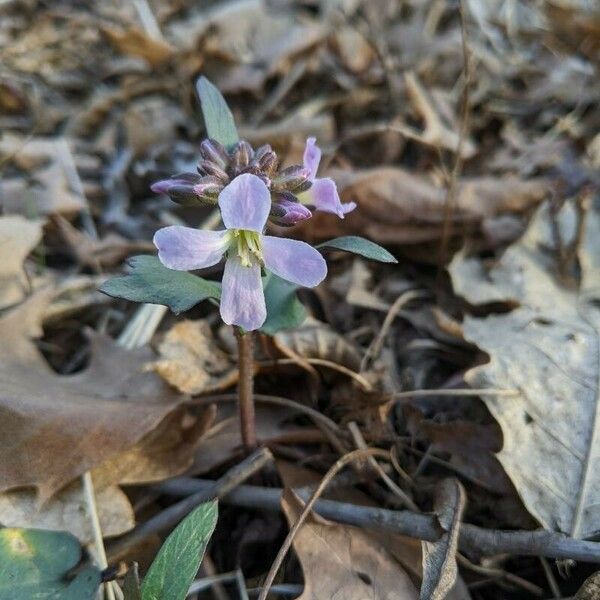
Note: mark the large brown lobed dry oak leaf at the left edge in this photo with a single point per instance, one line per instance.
(54, 428)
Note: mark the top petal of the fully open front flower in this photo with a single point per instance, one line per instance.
(245, 203)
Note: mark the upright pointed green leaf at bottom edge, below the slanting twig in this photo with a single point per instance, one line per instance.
(177, 562)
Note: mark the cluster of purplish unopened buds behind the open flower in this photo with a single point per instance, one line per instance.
(218, 167)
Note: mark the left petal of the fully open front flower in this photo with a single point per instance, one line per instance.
(186, 248)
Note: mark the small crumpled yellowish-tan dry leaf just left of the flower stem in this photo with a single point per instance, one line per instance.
(192, 362)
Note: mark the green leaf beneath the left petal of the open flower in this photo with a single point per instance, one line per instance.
(151, 282)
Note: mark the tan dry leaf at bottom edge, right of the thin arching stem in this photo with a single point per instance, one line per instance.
(340, 561)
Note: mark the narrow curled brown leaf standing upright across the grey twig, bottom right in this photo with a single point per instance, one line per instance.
(439, 558)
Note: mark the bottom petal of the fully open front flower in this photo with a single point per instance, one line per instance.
(242, 296)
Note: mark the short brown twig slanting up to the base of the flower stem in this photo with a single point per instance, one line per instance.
(172, 515)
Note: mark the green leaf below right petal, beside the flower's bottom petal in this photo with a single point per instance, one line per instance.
(284, 310)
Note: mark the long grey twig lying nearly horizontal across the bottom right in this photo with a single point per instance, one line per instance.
(473, 539)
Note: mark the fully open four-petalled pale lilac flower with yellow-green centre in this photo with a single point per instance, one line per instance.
(245, 204)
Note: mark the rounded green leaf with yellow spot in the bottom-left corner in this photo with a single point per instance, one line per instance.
(35, 564)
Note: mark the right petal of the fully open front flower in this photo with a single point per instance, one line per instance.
(294, 261)
